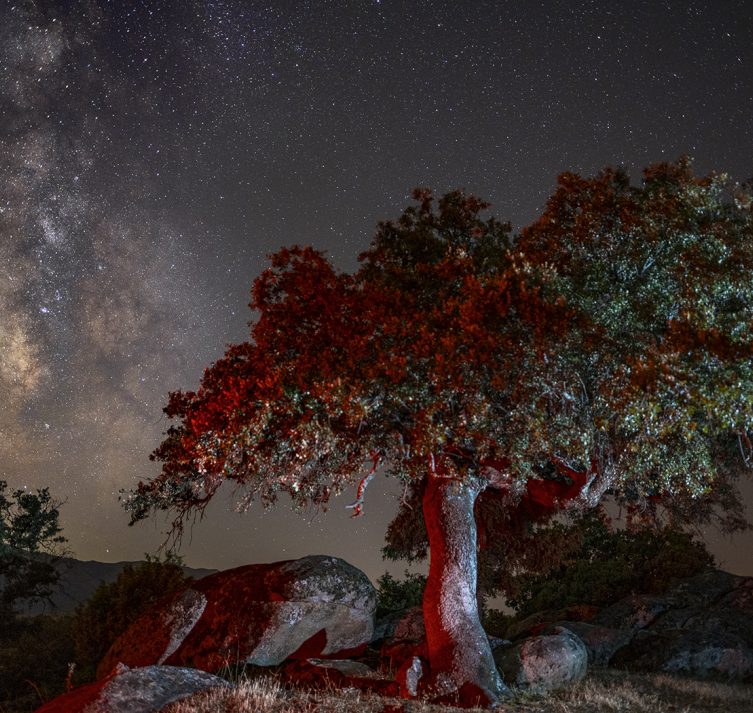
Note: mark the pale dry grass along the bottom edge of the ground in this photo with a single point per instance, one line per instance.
(602, 692)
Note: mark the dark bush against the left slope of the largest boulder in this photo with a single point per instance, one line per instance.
(114, 606)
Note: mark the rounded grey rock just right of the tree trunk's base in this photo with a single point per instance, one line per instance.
(543, 663)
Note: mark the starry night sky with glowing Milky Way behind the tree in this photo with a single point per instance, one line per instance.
(152, 153)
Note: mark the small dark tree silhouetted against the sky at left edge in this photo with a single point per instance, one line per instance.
(30, 543)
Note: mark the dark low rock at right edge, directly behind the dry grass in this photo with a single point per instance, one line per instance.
(701, 654)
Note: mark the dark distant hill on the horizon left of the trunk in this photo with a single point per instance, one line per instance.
(79, 579)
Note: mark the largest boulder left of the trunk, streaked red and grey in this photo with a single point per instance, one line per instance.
(259, 614)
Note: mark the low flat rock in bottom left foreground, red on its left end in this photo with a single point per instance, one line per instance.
(134, 690)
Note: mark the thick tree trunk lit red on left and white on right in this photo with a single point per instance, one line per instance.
(460, 657)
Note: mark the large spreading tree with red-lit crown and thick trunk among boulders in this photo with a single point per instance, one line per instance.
(606, 349)
